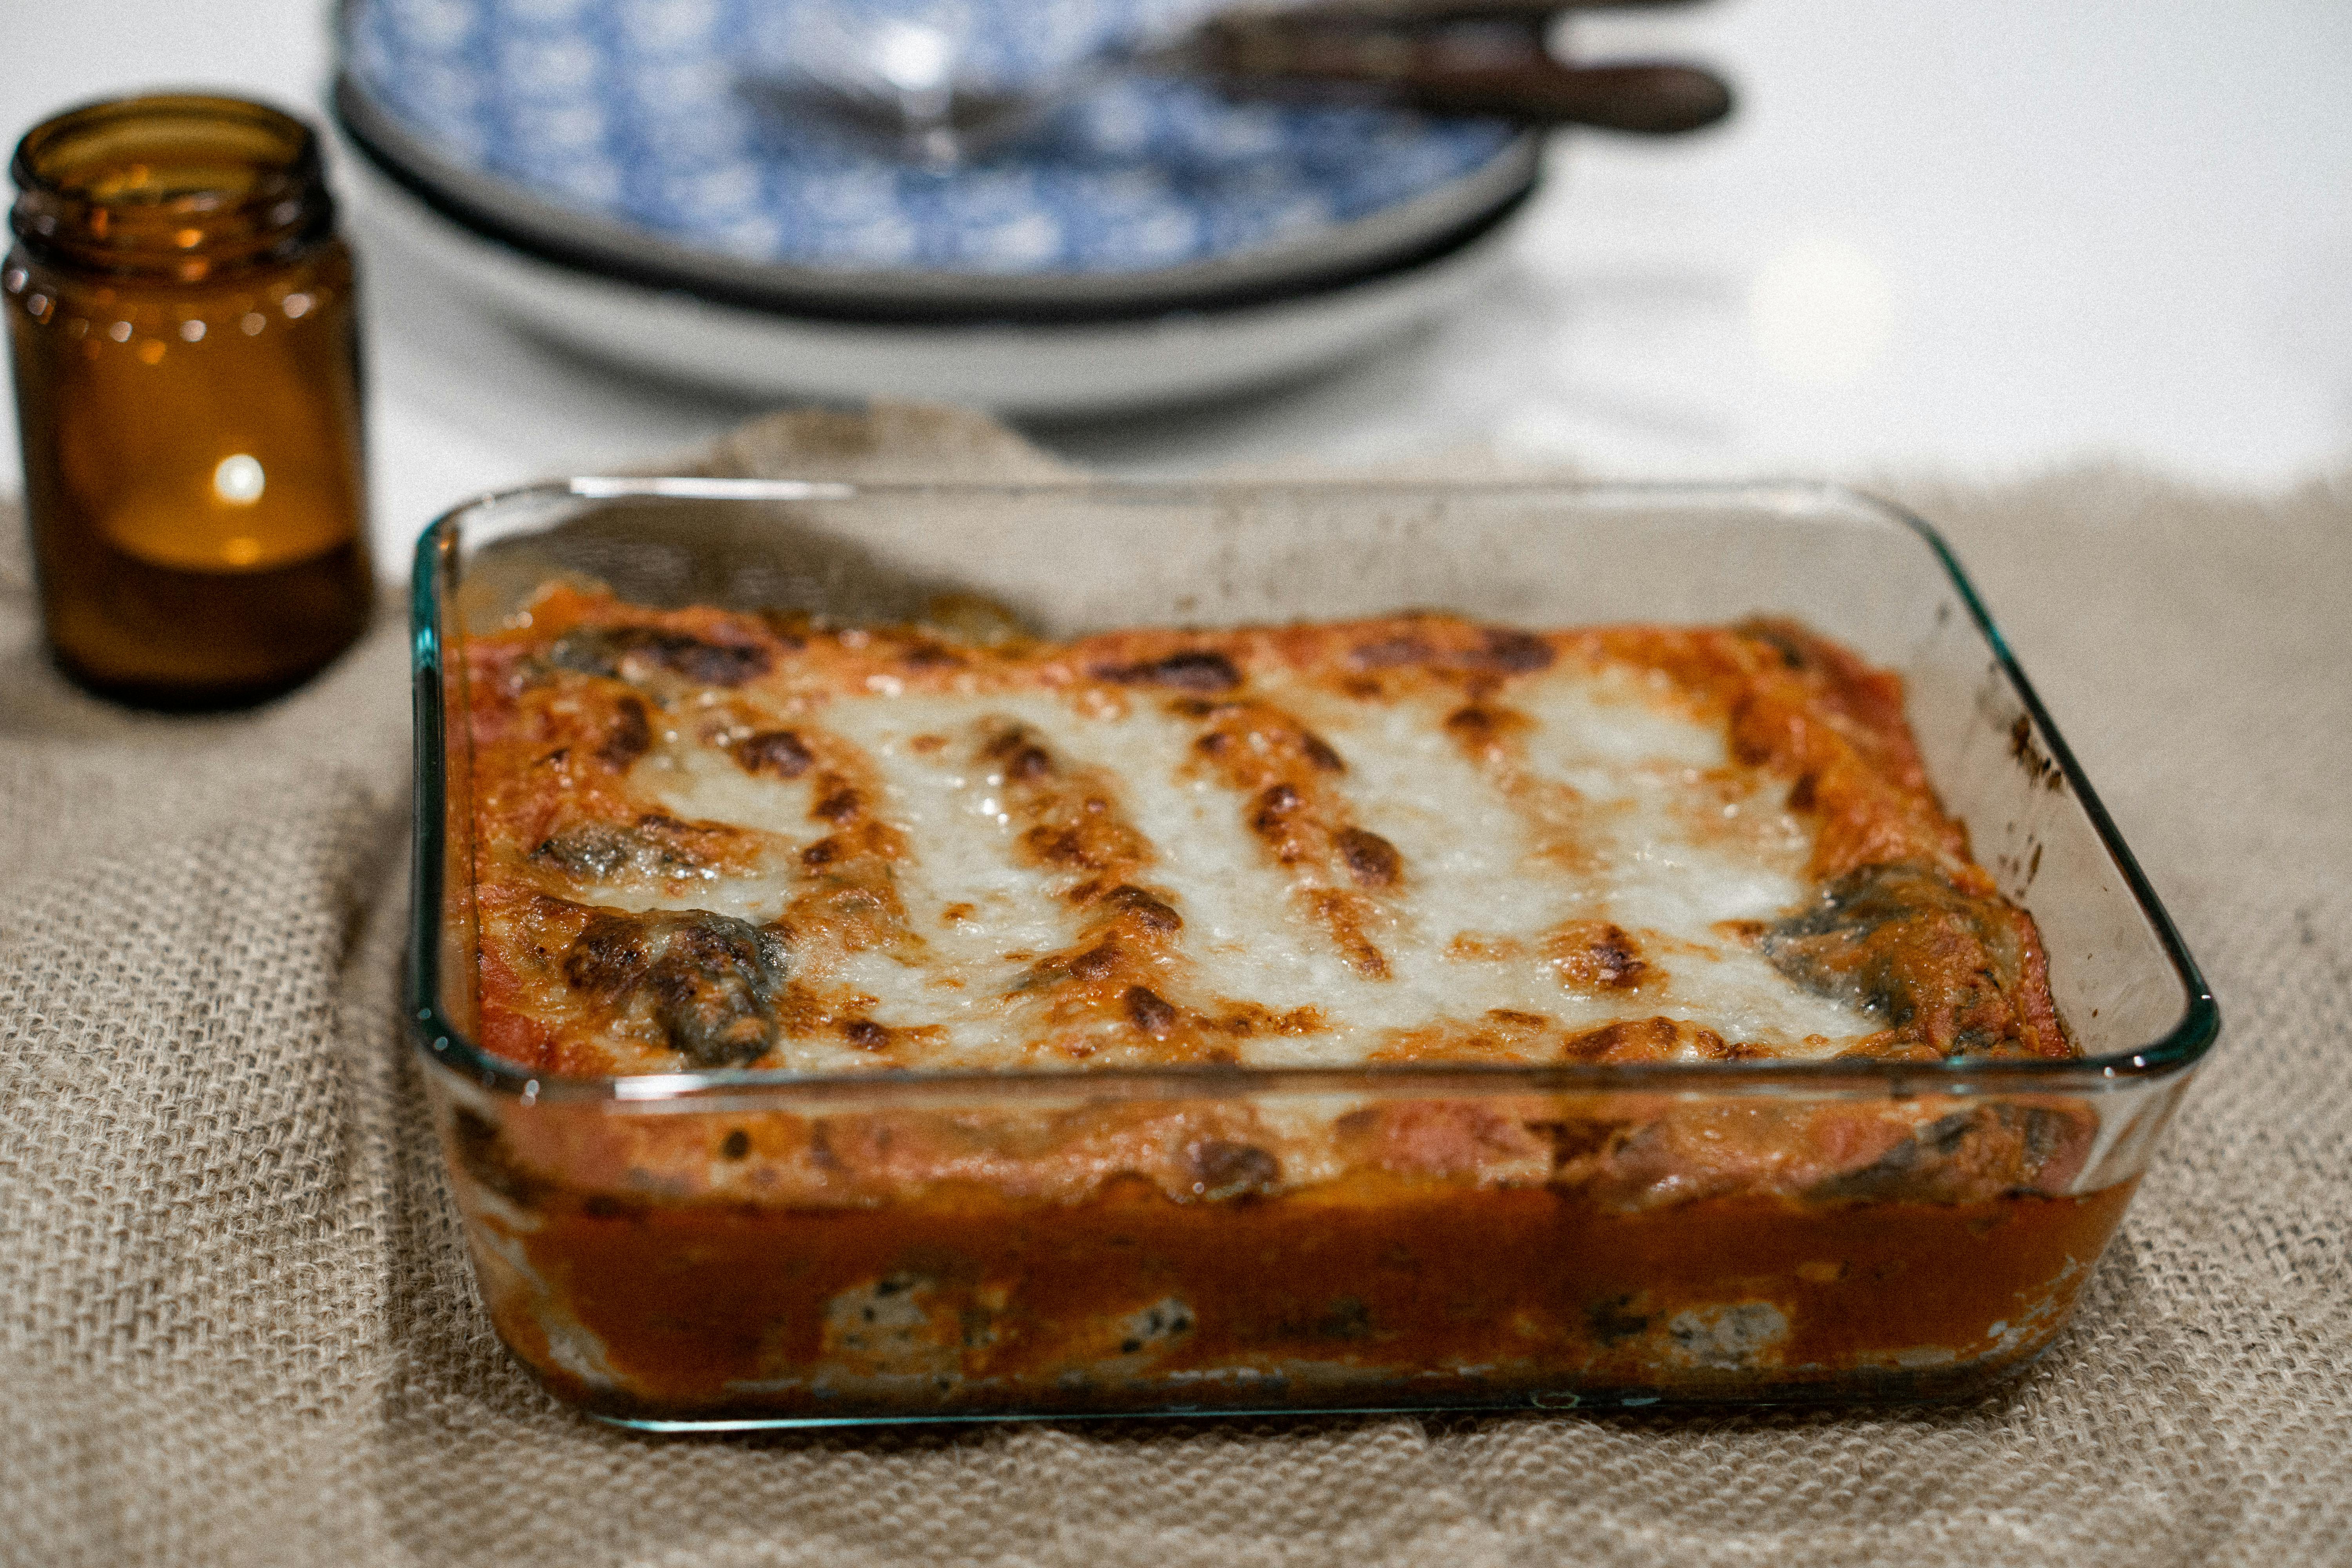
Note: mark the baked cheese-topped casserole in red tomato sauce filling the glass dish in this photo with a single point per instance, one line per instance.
(714, 840)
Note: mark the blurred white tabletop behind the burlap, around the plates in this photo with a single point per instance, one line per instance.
(1975, 241)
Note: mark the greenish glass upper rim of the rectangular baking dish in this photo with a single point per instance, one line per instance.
(441, 1043)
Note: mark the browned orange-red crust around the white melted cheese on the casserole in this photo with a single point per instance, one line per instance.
(584, 979)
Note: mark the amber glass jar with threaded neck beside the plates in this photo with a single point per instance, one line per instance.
(189, 396)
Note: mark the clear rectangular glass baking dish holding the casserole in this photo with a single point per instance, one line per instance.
(629, 1257)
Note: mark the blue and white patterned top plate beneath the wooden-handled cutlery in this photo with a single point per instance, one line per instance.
(636, 133)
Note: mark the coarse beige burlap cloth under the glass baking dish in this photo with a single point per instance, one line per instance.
(239, 1325)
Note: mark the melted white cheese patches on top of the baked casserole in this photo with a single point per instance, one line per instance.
(1591, 866)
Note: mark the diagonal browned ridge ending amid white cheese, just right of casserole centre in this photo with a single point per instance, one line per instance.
(1344, 876)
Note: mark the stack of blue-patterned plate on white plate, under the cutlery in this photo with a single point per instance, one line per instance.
(613, 175)
